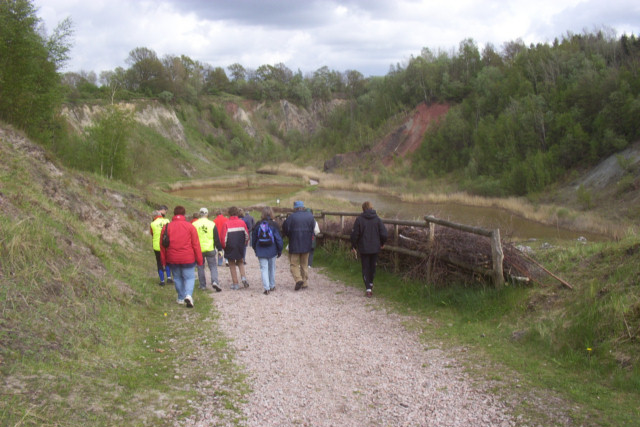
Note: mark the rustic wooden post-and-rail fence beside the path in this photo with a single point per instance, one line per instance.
(430, 222)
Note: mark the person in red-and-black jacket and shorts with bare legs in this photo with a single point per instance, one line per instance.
(234, 237)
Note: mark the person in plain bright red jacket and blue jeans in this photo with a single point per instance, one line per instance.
(182, 254)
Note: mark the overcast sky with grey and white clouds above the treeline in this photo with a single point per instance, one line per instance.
(364, 35)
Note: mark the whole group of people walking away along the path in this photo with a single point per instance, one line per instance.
(181, 247)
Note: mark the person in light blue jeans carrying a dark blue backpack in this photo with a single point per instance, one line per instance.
(267, 243)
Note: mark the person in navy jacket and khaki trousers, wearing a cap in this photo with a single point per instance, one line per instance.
(298, 227)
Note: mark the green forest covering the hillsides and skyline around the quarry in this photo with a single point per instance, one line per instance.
(521, 117)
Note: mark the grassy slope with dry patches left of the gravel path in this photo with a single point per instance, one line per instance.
(87, 337)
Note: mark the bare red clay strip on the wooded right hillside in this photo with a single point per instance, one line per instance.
(408, 137)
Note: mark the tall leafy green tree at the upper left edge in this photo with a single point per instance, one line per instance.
(29, 80)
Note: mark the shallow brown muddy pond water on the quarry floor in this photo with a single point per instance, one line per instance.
(511, 226)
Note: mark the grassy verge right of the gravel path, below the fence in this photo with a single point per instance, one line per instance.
(558, 356)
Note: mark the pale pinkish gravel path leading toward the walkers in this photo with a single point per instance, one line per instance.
(327, 356)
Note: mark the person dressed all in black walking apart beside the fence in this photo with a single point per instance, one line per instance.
(368, 237)
